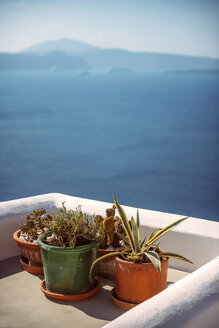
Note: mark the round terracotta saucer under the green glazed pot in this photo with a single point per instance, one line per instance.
(62, 297)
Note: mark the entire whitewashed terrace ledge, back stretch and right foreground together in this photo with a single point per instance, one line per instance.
(191, 302)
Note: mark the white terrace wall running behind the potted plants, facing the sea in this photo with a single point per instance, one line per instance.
(195, 238)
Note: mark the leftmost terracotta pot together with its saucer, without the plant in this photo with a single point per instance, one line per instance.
(31, 255)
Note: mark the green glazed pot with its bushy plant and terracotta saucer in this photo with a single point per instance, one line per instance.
(68, 250)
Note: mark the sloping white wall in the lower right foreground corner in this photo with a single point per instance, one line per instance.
(192, 302)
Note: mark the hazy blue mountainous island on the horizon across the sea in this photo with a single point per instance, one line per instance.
(72, 55)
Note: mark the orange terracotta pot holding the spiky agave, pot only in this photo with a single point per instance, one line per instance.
(135, 283)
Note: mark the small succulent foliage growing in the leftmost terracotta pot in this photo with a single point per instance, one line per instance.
(37, 222)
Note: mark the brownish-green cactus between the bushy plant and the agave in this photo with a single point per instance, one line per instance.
(110, 229)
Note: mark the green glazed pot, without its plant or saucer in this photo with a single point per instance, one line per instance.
(66, 269)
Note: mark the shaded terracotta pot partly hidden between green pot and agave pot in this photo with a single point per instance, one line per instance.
(106, 267)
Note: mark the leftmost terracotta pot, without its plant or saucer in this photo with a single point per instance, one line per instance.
(30, 251)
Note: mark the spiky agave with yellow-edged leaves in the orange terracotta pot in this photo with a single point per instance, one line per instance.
(142, 251)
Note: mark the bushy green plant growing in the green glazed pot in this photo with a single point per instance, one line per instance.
(72, 228)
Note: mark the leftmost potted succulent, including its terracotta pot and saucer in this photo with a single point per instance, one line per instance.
(37, 222)
